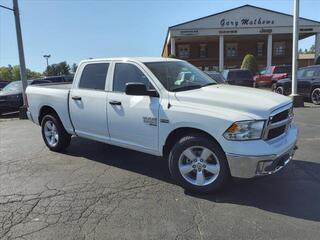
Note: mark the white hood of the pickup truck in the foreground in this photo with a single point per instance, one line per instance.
(255, 103)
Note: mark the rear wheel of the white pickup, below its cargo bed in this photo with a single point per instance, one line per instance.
(53, 133)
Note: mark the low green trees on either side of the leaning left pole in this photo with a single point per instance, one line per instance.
(13, 73)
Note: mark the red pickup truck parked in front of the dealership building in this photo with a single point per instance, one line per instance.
(271, 74)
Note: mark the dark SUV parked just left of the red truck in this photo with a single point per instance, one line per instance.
(240, 77)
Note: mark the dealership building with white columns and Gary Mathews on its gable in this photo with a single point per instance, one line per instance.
(222, 40)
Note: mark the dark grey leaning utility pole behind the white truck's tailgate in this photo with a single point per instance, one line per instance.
(23, 71)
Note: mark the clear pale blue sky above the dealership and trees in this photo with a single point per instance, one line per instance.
(72, 30)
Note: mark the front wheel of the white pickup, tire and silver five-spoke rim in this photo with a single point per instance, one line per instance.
(194, 174)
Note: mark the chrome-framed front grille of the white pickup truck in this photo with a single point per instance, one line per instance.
(278, 122)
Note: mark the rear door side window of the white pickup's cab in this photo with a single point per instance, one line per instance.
(94, 76)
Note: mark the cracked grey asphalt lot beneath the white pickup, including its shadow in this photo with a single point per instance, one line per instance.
(97, 191)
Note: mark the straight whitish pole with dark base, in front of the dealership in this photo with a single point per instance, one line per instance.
(297, 99)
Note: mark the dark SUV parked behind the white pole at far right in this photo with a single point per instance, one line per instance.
(308, 84)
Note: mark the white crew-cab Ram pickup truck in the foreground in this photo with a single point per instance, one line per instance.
(207, 131)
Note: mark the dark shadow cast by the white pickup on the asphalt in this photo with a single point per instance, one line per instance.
(294, 191)
